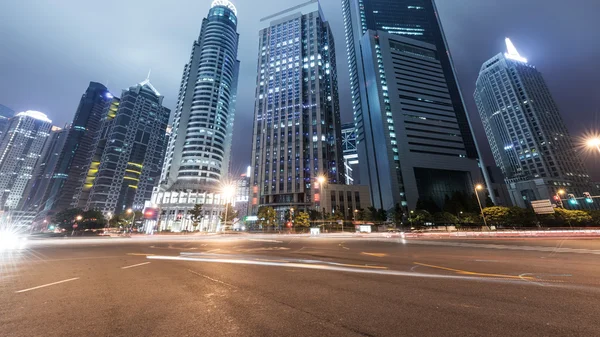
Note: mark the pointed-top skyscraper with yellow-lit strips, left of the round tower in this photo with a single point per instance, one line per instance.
(130, 152)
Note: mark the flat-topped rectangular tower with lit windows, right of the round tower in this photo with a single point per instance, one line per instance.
(297, 130)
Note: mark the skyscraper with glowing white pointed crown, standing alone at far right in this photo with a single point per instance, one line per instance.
(528, 137)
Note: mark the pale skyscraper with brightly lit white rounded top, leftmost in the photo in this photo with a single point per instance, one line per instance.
(20, 149)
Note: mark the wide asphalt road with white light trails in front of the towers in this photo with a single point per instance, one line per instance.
(295, 286)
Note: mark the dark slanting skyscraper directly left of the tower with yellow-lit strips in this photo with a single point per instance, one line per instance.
(75, 158)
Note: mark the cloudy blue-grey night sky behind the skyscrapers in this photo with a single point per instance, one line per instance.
(51, 49)
